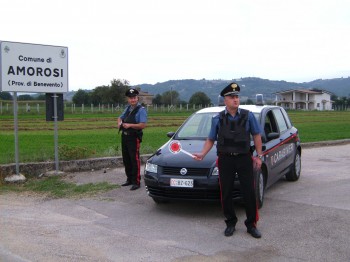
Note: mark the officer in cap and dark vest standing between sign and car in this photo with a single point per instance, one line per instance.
(130, 123)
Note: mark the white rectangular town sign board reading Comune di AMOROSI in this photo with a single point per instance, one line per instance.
(34, 68)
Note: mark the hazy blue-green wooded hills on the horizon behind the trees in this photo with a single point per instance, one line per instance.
(250, 86)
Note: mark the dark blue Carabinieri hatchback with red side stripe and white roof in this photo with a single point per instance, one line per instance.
(172, 173)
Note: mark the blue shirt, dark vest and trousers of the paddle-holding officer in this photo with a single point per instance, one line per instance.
(233, 149)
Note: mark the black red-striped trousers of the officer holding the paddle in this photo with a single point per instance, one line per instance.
(242, 165)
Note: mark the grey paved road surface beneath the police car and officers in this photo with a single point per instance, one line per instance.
(307, 220)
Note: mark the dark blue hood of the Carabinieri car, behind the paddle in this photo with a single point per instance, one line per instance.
(164, 157)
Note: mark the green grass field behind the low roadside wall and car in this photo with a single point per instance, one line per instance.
(96, 135)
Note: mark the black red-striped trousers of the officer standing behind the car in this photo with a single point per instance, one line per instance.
(131, 158)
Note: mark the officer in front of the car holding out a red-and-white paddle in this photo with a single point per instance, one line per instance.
(232, 129)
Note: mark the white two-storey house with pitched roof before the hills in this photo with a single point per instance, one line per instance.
(304, 99)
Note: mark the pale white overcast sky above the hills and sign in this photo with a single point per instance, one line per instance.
(150, 41)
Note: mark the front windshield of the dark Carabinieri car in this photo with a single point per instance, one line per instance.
(198, 126)
